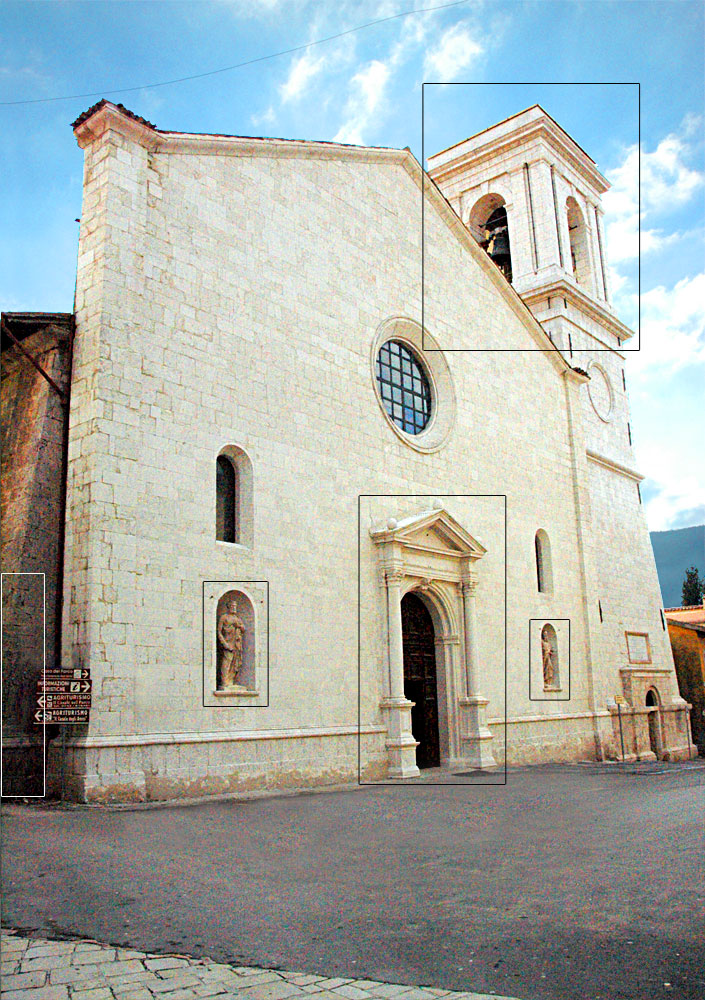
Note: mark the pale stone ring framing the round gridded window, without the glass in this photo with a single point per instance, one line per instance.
(435, 368)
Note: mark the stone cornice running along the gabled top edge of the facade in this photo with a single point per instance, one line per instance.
(105, 116)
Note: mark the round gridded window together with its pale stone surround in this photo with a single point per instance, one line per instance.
(413, 384)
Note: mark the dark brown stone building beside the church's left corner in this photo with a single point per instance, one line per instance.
(36, 358)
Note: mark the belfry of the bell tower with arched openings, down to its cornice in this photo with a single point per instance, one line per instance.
(531, 197)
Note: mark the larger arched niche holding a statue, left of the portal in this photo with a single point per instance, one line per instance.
(235, 643)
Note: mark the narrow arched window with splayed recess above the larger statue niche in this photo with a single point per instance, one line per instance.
(234, 507)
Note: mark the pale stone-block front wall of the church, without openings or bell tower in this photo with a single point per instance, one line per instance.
(230, 295)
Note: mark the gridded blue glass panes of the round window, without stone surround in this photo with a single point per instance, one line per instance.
(404, 387)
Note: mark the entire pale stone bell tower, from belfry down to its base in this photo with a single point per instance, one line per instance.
(531, 197)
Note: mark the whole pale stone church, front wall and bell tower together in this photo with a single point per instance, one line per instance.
(329, 515)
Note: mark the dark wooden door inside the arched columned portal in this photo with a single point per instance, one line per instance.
(420, 678)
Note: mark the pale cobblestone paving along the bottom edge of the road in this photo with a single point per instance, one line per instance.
(37, 969)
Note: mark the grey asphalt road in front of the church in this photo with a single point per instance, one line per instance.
(580, 882)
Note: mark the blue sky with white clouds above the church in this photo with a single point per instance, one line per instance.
(580, 60)
